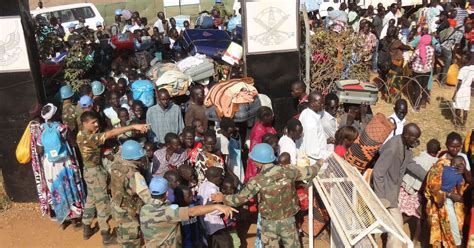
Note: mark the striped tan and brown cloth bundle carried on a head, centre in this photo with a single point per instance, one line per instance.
(227, 97)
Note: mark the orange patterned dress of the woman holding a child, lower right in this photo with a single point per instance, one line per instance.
(441, 232)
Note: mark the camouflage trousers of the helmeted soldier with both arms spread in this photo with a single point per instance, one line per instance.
(275, 230)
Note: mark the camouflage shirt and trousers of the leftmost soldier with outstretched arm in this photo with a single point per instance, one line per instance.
(95, 177)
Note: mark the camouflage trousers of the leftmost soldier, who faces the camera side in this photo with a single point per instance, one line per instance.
(97, 197)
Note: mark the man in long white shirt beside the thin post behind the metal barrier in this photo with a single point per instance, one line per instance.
(314, 140)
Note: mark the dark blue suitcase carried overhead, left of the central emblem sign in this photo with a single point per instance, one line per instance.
(211, 42)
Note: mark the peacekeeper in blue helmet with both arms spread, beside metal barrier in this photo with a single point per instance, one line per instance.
(277, 205)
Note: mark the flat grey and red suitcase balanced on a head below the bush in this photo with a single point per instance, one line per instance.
(356, 92)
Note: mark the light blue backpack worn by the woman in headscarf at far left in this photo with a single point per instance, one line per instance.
(54, 146)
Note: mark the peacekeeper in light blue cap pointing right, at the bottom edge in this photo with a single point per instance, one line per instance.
(159, 220)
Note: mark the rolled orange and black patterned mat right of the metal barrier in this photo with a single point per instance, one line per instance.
(369, 141)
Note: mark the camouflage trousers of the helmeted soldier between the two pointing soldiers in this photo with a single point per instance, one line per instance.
(128, 234)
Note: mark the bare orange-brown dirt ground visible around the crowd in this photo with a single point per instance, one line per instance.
(21, 225)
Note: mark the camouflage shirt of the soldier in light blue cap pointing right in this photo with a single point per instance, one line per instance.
(159, 222)
